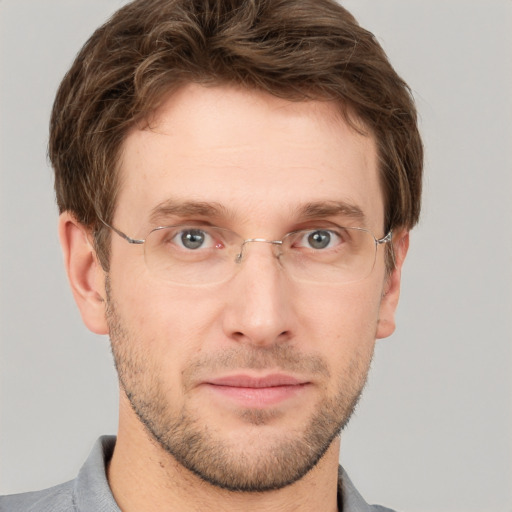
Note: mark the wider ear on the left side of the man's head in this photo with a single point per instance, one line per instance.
(85, 274)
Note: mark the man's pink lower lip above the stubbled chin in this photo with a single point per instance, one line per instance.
(258, 397)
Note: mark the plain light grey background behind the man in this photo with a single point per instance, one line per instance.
(434, 430)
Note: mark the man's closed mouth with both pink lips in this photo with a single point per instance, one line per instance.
(257, 391)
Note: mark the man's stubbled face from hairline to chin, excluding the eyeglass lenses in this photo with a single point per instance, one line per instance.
(245, 382)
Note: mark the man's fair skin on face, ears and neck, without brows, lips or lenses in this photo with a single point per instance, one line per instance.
(261, 158)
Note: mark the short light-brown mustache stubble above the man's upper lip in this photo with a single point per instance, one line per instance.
(283, 357)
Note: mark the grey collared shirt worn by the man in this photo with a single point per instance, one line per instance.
(90, 492)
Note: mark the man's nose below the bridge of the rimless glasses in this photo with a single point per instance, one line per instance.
(259, 307)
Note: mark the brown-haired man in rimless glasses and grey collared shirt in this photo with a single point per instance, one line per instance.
(236, 182)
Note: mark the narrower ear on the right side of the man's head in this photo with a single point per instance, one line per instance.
(391, 292)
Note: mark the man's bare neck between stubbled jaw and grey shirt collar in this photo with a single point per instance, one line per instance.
(143, 477)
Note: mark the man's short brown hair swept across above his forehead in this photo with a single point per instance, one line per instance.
(294, 49)
